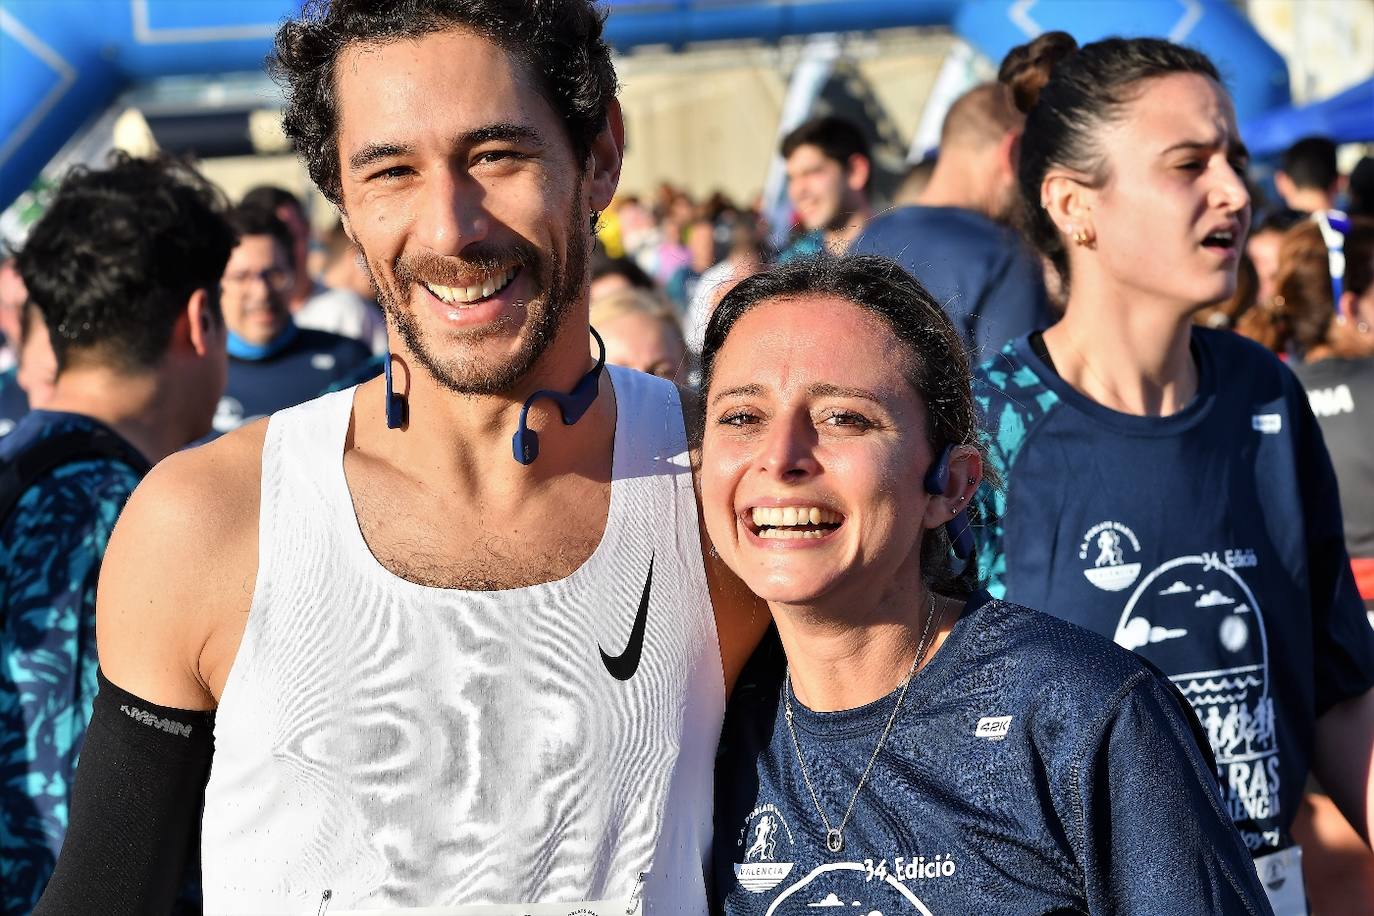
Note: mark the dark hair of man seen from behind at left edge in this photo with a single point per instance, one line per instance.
(119, 253)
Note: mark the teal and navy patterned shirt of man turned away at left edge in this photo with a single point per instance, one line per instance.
(50, 554)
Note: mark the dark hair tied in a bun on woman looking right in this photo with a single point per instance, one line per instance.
(1068, 94)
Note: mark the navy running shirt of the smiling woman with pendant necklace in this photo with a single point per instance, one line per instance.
(1034, 768)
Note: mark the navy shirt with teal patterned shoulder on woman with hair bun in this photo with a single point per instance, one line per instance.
(1210, 542)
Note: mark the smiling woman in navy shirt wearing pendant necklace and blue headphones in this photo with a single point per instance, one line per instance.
(928, 749)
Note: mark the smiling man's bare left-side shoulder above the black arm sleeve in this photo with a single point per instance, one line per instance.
(181, 569)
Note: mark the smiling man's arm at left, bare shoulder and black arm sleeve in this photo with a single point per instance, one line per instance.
(174, 597)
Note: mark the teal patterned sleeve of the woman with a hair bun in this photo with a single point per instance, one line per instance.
(1012, 400)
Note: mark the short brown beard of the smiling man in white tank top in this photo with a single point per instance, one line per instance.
(559, 285)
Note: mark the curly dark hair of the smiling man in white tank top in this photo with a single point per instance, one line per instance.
(559, 41)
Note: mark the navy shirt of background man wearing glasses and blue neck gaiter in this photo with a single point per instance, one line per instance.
(293, 373)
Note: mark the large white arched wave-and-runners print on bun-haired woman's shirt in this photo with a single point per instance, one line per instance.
(1195, 606)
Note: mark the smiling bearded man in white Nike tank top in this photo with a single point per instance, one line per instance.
(447, 663)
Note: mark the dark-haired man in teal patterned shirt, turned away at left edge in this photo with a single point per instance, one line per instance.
(126, 266)
